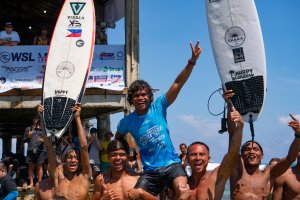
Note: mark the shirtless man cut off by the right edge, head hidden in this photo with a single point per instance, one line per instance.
(287, 186)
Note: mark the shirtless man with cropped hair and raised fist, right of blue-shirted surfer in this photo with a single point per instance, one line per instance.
(210, 184)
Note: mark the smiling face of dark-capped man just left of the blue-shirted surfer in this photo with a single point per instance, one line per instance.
(118, 160)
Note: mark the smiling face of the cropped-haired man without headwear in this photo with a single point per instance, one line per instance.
(198, 158)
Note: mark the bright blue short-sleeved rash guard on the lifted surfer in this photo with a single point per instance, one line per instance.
(151, 134)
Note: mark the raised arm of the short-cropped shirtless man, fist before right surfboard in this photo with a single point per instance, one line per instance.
(229, 159)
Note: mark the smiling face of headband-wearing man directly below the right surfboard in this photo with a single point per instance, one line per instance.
(252, 154)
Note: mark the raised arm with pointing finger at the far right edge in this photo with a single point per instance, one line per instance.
(281, 166)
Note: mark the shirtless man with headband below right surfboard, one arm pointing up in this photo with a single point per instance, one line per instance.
(247, 180)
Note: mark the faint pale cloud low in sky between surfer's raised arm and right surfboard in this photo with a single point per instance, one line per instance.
(203, 126)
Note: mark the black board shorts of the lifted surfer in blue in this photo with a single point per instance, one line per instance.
(154, 182)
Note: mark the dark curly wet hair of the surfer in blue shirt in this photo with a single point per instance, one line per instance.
(136, 86)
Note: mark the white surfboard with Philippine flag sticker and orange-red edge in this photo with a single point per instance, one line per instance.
(68, 63)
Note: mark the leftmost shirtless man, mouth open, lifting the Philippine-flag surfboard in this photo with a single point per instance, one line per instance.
(73, 182)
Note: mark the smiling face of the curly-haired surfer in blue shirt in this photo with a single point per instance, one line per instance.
(141, 101)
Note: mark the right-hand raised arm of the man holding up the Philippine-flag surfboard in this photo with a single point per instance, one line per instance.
(86, 170)
